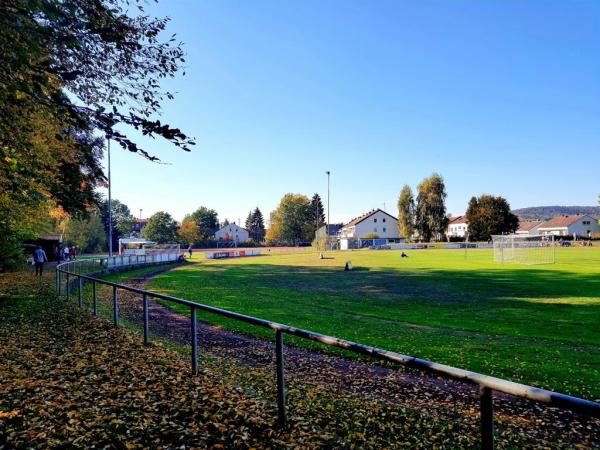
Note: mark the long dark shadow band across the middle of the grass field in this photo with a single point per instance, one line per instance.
(441, 284)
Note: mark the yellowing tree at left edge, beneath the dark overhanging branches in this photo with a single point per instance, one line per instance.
(41, 175)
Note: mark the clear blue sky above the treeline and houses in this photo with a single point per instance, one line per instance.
(499, 97)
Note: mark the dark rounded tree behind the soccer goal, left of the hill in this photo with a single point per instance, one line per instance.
(488, 215)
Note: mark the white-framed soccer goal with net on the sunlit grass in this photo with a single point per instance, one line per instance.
(524, 249)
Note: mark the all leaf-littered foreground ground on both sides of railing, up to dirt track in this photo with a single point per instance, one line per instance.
(68, 379)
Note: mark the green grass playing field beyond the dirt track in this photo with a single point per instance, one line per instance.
(534, 324)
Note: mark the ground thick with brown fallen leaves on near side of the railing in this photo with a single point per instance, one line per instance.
(70, 380)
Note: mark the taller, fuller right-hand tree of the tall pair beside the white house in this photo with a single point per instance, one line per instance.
(430, 214)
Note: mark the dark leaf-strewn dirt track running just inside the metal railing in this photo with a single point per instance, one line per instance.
(405, 388)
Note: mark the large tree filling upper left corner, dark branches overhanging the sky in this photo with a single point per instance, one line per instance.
(71, 68)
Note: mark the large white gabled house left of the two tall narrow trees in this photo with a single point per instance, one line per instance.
(374, 223)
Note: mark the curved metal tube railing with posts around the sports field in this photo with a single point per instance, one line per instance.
(85, 269)
